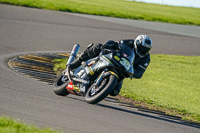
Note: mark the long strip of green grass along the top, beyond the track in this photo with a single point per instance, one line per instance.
(118, 8)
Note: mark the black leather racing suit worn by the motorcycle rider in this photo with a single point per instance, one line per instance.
(140, 64)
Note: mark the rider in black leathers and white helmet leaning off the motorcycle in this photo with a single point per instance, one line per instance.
(141, 46)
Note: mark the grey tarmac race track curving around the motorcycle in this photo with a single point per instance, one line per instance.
(26, 30)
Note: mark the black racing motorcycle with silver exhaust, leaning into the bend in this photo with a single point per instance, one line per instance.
(96, 78)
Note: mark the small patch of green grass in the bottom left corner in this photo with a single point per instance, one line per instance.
(8, 125)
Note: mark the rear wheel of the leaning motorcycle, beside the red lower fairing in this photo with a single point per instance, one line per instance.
(60, 85)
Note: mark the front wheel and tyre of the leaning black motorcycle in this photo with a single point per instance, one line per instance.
(97, 93)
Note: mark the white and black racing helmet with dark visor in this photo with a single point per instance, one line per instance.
(143, 45)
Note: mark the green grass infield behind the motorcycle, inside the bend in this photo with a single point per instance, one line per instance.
(171, 84)
